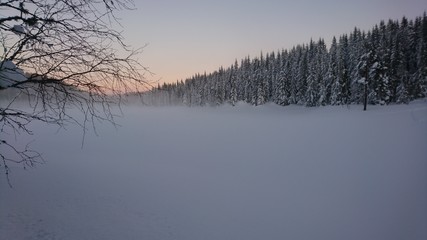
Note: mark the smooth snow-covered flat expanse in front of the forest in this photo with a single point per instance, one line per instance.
(264, 172)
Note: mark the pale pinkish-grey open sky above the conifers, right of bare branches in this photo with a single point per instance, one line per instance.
(185, 37)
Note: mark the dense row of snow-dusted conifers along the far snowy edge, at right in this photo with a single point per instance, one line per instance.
(387, 64)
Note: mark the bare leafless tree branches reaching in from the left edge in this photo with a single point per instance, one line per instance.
(73, 58)
